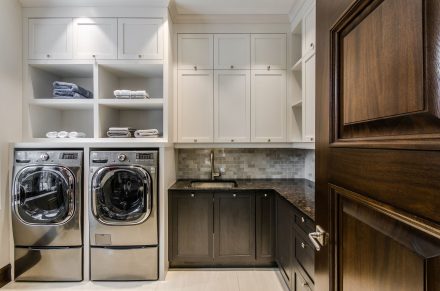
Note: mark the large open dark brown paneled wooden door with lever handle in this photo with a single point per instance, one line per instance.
(378, 144)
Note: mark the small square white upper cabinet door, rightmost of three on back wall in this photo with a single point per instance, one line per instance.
(268, 51)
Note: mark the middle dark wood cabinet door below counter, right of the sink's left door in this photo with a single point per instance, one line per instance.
(234, 228)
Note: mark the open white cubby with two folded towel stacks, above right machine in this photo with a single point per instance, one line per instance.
(115, 115)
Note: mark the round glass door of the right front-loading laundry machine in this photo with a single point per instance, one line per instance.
(121, 195)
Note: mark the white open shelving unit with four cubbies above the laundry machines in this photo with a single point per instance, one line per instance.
(44, 113)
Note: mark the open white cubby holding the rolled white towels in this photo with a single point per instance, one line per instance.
(45, 117)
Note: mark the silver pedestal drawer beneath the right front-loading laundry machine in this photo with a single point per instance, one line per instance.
(123, 263)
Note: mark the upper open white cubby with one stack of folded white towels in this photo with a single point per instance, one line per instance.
(147, 77)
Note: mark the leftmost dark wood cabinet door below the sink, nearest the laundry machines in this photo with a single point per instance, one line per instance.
(191, 233)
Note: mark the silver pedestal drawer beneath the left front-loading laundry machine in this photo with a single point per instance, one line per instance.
(61, 264)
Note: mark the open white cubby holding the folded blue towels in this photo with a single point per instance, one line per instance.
(42, 77)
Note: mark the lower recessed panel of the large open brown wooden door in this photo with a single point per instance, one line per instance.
(377, 251)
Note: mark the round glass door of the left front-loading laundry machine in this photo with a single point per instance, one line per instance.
(44, 195)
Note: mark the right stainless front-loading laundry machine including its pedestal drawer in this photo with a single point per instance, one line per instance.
(123, 215)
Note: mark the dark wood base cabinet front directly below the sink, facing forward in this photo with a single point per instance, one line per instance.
(221, 229)
